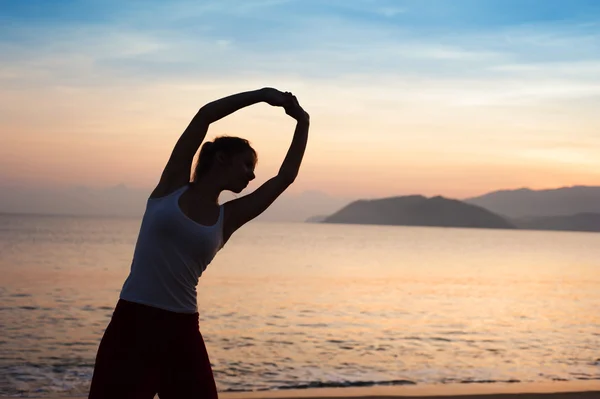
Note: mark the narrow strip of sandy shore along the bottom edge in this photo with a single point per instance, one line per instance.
(537, 390)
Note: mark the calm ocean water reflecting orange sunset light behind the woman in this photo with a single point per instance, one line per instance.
(315, 305)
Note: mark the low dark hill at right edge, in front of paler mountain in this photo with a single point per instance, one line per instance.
(578, 222)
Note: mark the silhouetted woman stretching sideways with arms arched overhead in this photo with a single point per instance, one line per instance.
(153, 343)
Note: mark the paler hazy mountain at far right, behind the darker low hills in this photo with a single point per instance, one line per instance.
(536, 203)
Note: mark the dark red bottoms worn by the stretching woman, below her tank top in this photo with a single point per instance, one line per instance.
(145, 351)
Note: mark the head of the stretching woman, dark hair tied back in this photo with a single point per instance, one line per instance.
(232, 158)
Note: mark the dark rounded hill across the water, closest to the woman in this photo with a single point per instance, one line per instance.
(417, 210)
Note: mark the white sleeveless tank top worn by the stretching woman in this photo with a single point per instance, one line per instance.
(170, 255)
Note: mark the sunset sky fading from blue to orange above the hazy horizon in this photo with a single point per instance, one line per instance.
(434, 97)
